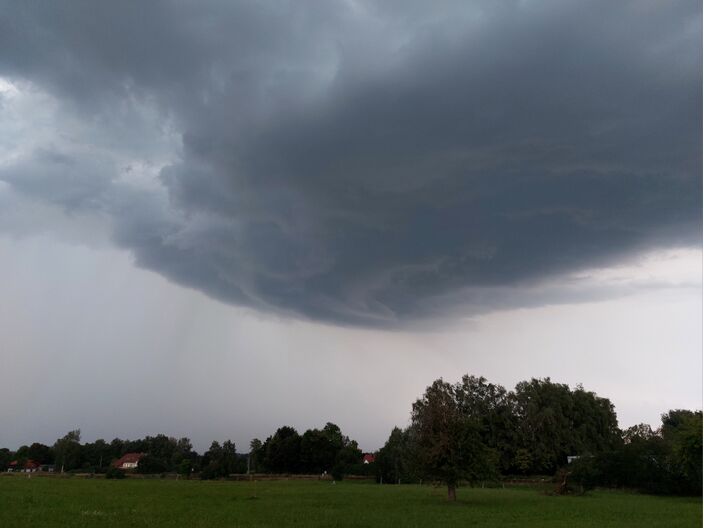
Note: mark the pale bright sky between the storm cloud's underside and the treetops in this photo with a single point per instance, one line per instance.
(123, 352)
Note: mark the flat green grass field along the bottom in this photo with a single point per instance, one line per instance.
(48, 502)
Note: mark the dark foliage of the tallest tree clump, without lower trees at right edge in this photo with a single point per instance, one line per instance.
(531, 430)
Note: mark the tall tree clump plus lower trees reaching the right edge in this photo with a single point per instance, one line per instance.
(474, 431)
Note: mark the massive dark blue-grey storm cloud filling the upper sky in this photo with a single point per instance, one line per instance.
(362, 163)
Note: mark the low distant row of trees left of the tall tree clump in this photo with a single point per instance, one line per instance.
(286, 451)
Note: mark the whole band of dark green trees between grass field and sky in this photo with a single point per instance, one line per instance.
(469, 431)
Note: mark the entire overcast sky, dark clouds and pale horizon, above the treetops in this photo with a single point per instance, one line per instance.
(217, 218)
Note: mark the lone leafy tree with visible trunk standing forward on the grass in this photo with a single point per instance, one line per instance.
(448, 438)
